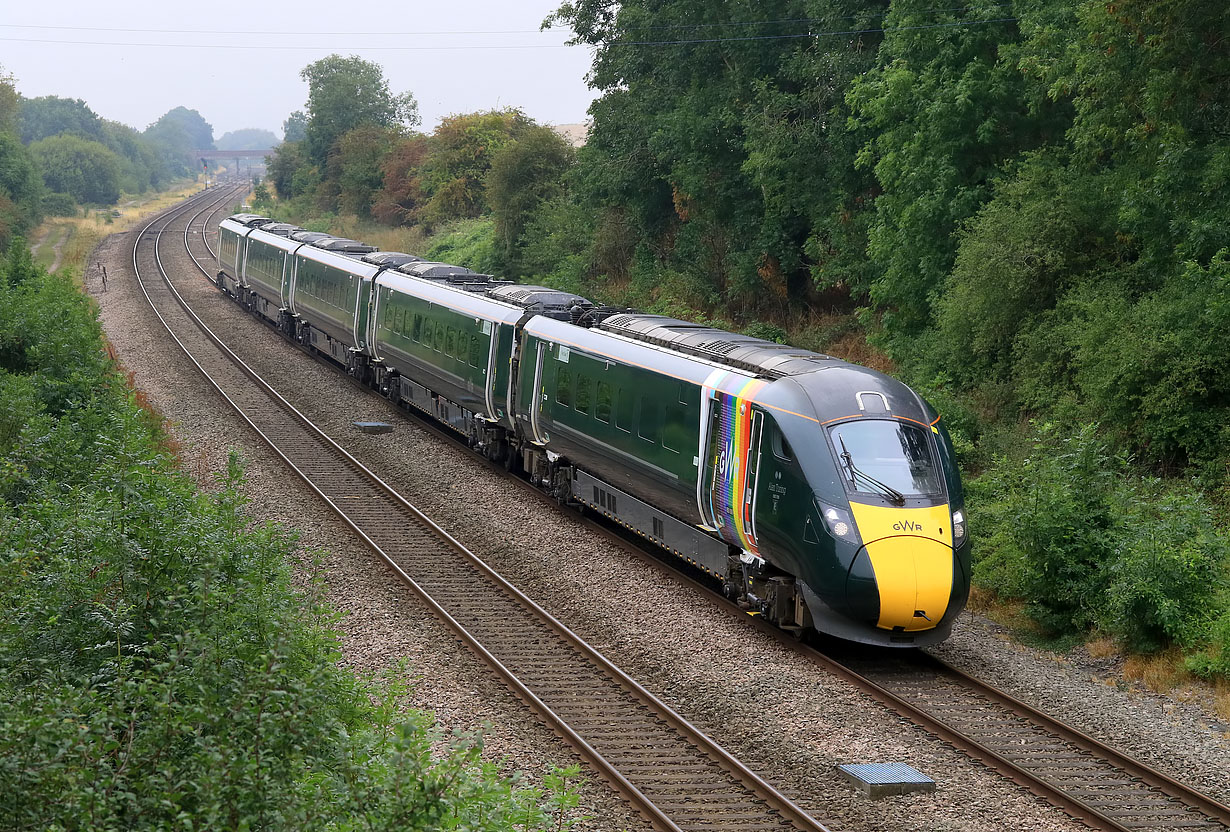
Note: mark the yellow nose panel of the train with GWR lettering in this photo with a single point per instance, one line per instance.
(911, 554)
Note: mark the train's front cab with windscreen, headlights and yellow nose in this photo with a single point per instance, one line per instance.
(883, 563)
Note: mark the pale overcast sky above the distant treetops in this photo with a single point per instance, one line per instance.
(239, 65)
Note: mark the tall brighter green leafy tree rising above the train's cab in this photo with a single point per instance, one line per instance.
(945, 106)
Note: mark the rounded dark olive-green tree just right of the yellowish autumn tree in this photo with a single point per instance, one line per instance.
(526, 174)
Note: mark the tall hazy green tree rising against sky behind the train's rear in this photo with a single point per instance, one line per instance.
(345, 94)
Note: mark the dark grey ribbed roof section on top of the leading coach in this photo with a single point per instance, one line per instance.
(732, 350)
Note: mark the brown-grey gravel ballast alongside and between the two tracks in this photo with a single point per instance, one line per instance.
(779, 713)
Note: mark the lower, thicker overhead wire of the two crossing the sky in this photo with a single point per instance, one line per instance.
(517, 46)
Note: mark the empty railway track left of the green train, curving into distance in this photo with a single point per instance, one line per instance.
(671, 772)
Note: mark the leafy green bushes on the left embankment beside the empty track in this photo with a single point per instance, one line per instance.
(158, 668)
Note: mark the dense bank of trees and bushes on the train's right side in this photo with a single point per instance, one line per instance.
(1023, 210)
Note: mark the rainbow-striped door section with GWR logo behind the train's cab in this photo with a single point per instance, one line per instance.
(728, 489)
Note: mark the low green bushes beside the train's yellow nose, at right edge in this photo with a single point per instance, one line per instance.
(1088, 548)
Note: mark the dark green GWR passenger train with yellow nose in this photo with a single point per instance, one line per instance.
(819, 494)
